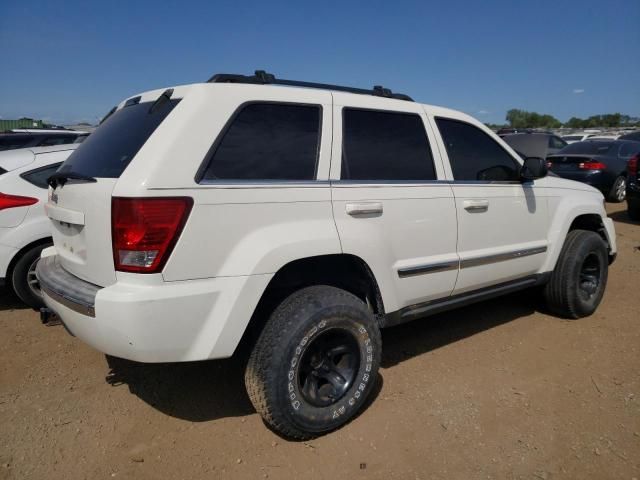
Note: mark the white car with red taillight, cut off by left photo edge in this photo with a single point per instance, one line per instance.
(24, 228)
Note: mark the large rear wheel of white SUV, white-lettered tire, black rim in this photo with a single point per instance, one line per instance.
(315, 362)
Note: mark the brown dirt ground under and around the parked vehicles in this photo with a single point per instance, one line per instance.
(496, 390)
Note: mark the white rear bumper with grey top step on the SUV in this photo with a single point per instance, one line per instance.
(160, 322)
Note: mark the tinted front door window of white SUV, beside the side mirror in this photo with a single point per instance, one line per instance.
(474, 155)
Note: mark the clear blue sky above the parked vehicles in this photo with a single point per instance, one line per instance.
(69, 61)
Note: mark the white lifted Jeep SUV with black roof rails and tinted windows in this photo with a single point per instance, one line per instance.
(306, 218)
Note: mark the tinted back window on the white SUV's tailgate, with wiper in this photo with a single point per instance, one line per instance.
(107, 151)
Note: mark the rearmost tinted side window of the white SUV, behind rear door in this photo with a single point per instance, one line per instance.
(268, 141)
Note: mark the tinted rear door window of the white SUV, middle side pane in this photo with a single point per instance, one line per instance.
(385, 146)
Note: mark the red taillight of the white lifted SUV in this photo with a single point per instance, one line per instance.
(144, 231)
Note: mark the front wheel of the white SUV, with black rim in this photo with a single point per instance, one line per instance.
(578, 282)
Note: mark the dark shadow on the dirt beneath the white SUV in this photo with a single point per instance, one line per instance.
(205, 391)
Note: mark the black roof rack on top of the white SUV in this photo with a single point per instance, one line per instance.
(263, 78)
